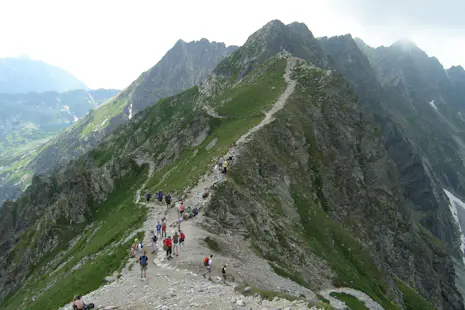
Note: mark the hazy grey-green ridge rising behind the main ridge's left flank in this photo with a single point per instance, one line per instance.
(184, 66)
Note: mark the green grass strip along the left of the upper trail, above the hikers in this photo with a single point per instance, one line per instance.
(242, 108)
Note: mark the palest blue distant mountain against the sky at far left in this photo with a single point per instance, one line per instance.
(22, 75)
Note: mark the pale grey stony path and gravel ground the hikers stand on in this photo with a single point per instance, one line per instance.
(178, 283)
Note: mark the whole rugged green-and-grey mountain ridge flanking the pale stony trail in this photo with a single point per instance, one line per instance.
(344, 186)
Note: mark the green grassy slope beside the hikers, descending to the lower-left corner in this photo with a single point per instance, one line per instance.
(113, 220)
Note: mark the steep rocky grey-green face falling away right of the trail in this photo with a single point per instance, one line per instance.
(317, 180)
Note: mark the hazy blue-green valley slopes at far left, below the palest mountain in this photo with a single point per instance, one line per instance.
(28, 121)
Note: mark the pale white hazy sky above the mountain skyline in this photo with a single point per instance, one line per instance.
(109, 43)
